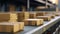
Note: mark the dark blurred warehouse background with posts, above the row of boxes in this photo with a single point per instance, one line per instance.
(28, 5)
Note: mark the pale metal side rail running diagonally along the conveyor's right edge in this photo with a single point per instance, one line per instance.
(41, 29)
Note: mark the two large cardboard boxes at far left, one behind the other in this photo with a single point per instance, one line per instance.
(9, 23)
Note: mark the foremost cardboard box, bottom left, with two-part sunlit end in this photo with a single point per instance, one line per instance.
(11, 27)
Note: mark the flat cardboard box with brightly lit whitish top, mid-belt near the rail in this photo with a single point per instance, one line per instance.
(33, 22)
